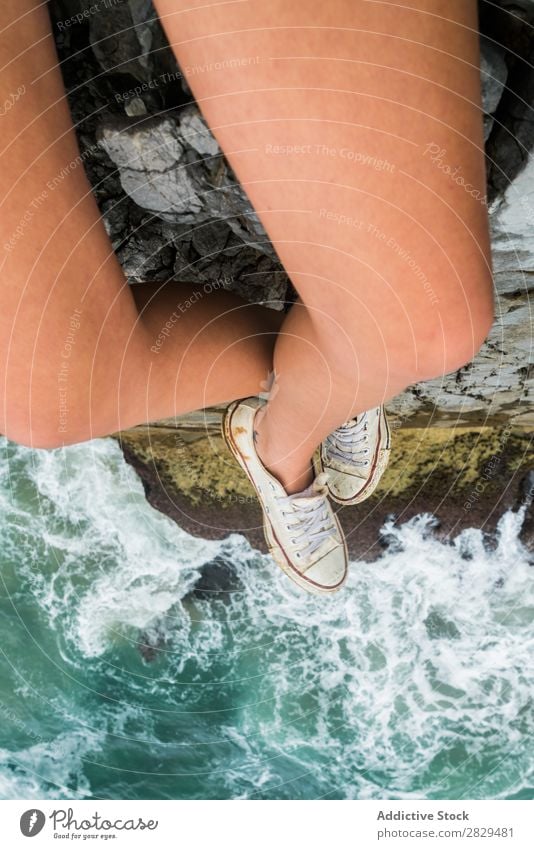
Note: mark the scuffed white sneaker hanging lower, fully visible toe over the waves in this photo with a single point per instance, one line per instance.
(302, 532)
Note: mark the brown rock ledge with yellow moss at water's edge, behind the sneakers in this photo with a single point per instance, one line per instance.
(463, 477)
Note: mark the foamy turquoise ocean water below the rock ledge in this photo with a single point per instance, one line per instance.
(417, 682)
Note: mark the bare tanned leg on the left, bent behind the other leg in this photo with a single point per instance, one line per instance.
(81, 355)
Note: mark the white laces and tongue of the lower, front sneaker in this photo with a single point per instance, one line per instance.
(307, 517)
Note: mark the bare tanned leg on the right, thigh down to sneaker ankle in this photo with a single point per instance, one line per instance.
(359, 132)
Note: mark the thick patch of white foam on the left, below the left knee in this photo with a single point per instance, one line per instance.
(118, 563)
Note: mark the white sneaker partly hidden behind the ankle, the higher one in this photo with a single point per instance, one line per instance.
(355, 456)
